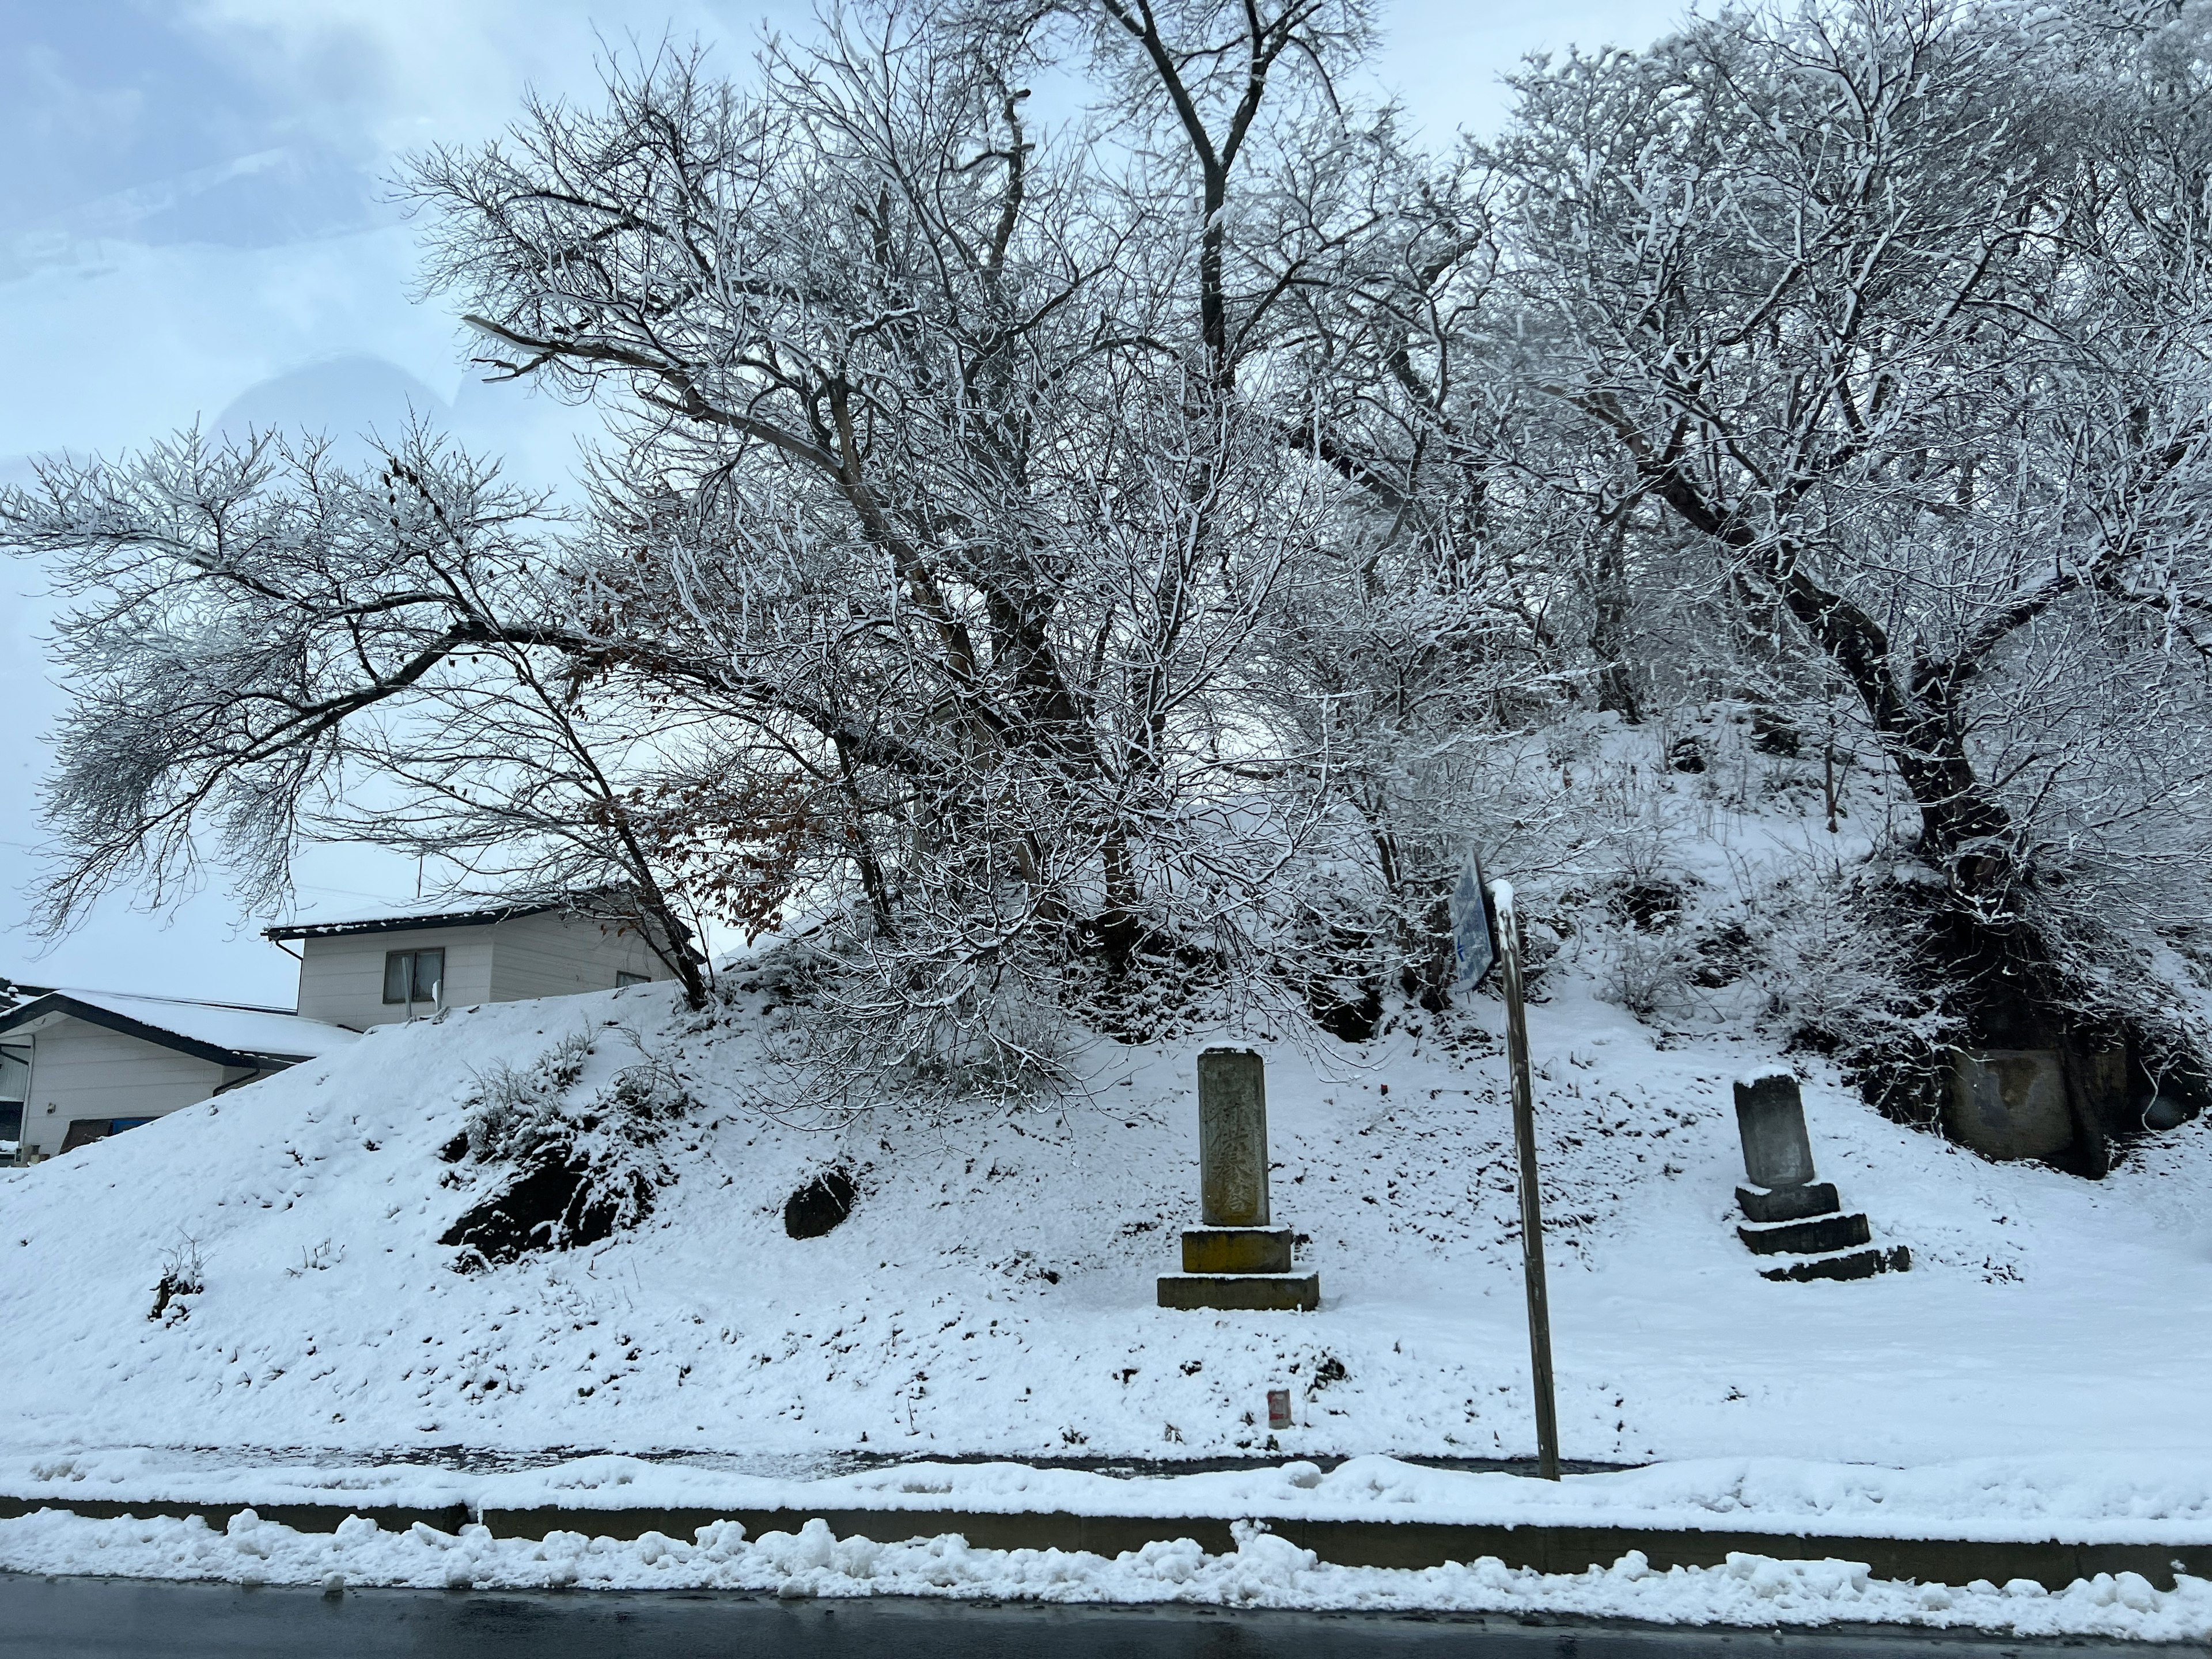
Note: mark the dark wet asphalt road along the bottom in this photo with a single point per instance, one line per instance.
(125, 1620)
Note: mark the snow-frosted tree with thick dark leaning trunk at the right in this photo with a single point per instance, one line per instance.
(1899, 311)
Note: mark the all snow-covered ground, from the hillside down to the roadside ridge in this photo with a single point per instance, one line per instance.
(2036, 1375)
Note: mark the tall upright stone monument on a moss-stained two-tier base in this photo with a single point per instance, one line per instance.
(1235, 1258)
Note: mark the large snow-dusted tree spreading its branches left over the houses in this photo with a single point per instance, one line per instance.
(924, 570)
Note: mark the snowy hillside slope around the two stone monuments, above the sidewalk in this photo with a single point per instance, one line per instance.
(992, 1291)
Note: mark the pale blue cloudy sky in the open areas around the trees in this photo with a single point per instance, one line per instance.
(191, 231)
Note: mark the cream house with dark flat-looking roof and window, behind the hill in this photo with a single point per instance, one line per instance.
(406, 968)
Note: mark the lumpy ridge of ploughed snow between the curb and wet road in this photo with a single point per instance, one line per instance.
(1262, 1572)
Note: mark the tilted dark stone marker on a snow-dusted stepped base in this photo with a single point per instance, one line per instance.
(1784, 1209)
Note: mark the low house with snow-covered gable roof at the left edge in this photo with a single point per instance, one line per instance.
(98, 1063)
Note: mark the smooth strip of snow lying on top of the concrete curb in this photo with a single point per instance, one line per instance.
(2078, 1501)
